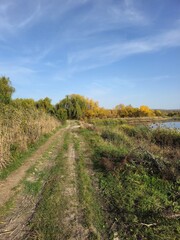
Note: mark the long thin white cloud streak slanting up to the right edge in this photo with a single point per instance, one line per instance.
(103, 55)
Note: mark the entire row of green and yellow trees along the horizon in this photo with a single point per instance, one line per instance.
(73, 106)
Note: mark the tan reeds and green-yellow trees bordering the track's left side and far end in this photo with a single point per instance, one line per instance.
(23, 121)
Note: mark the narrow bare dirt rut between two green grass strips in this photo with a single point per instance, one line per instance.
(72, 215)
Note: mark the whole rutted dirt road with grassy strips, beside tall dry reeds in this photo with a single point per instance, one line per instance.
(20, 210)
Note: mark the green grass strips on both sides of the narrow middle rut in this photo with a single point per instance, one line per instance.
(49, 219)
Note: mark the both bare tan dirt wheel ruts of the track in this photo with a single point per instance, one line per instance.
(14, 225)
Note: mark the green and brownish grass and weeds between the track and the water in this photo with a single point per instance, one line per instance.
(139, 201)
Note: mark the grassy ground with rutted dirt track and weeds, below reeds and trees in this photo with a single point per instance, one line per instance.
(102, 179)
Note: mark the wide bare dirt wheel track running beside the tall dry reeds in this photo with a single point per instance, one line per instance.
(14, 224)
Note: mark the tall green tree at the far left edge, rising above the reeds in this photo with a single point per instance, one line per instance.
(6, 90)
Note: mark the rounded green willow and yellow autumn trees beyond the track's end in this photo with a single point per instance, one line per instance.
(79, 107)
